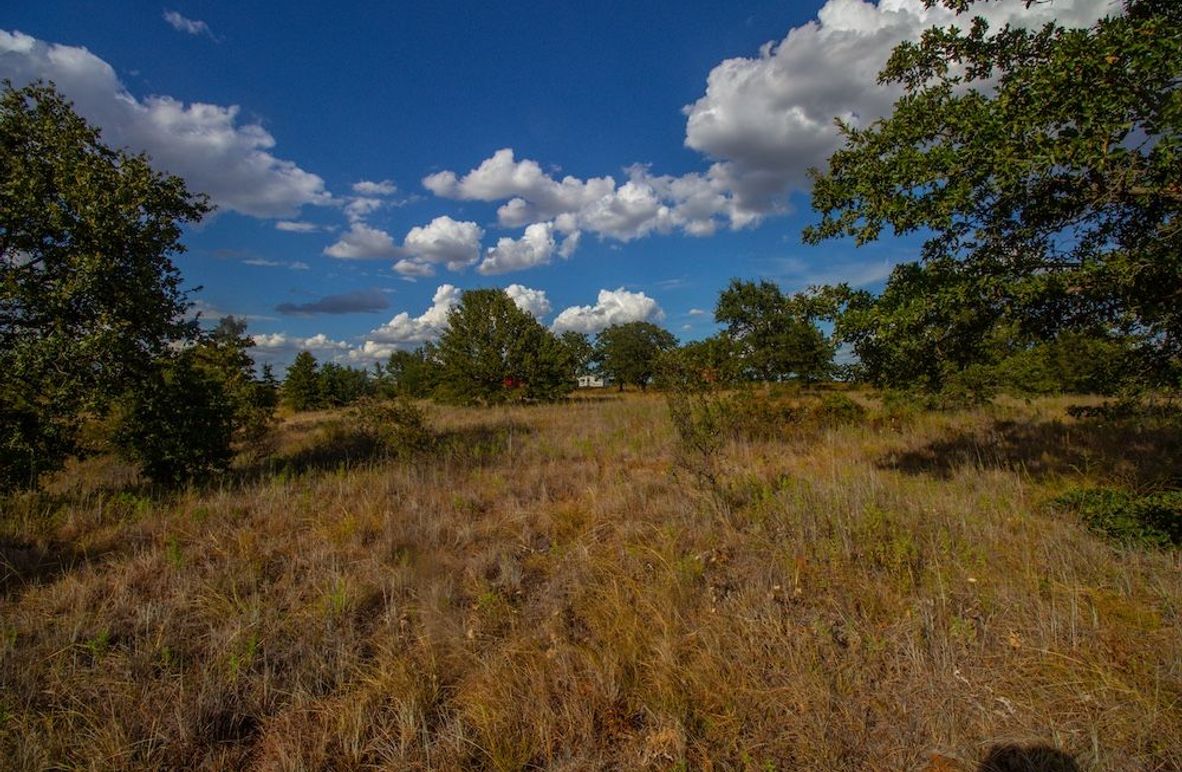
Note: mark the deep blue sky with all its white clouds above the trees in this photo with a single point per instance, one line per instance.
(606, 161)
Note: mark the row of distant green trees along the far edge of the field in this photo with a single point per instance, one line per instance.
(495, 353)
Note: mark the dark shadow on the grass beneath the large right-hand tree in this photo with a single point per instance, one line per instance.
(1139, 455)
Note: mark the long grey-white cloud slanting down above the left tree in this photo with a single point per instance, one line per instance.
(204, 144)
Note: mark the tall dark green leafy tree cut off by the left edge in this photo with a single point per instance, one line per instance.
(90, 299)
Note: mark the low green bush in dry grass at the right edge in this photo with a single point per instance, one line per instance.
(1153, 520)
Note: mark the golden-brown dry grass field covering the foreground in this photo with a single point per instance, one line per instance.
(557, 588)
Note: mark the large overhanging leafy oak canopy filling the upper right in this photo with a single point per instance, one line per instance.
(1045, 168)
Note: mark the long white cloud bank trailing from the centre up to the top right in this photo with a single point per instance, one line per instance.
(762, 124)
